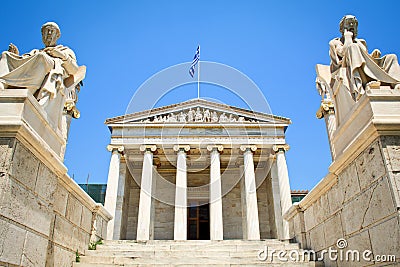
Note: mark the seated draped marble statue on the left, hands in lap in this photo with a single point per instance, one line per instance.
(51, 74)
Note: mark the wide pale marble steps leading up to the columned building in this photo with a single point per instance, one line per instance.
(191, 253)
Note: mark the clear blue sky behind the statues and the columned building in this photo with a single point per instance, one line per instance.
(275, 43)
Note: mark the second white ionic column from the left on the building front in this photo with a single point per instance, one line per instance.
(145, 199)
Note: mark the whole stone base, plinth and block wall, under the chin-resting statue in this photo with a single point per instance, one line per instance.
(359, 199)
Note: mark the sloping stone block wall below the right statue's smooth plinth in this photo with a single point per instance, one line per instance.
(360, 204)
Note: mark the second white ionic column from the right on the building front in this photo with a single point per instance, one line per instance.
(252, 221)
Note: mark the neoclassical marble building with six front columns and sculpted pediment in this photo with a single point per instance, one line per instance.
(198, 170)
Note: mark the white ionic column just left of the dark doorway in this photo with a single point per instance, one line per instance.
(180, 221)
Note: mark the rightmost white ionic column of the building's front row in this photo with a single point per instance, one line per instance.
(281, 174)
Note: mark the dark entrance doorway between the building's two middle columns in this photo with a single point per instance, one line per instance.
(198, 222)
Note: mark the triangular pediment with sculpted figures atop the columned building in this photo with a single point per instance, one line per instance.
(198, 111)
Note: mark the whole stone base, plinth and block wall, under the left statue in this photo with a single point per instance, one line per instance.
(45, 217)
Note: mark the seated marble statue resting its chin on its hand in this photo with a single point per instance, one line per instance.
(362, 69)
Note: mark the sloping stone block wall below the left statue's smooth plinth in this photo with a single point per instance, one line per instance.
(45, 217)
